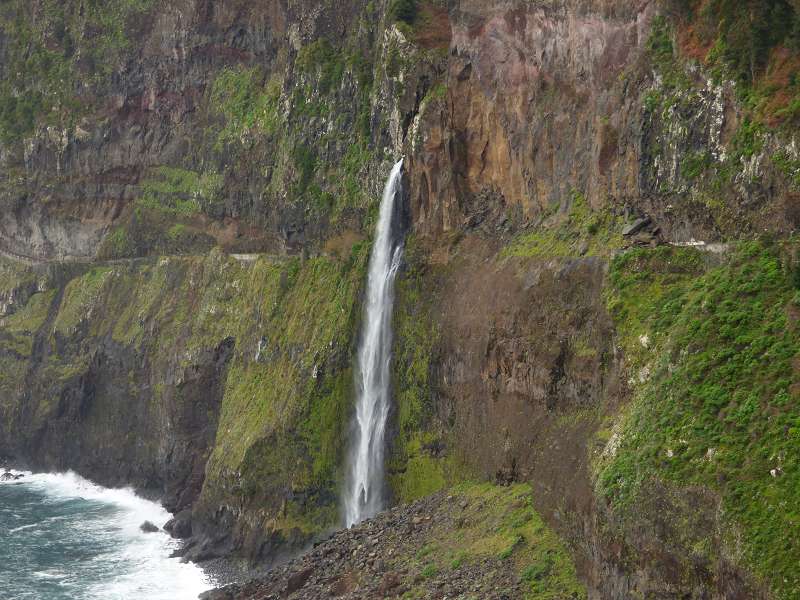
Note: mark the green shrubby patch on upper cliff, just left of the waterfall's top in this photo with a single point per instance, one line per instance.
(276, 121)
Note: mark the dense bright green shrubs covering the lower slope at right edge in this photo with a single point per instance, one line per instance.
(714, 351)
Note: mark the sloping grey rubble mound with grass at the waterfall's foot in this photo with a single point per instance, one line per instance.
(444, 546)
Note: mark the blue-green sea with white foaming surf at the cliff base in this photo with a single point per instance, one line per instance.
(64, 538)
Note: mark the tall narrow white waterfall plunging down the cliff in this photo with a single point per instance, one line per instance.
(364, 493)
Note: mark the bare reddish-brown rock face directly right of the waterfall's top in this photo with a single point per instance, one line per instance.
(535, 107)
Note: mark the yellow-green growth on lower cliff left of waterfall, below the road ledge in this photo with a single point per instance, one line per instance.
(289, 387)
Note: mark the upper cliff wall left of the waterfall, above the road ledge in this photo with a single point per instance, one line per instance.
(249, 127)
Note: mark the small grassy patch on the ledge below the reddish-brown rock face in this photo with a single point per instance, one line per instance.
(581, 231)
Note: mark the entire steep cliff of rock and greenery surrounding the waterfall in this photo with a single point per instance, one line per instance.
(556, 154)
